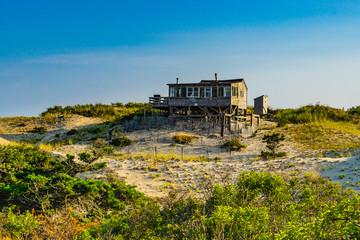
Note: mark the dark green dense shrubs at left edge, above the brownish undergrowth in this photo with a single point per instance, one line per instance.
(32, 179)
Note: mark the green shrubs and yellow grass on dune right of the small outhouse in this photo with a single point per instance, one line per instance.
(322, 127)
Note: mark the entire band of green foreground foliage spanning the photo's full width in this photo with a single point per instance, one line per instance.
(259, 205)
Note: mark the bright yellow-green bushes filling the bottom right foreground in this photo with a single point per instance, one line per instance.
(258, 206)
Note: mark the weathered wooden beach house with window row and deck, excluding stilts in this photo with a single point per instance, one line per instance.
(206, 98)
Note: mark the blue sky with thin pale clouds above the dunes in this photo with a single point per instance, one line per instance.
(63, 52)
